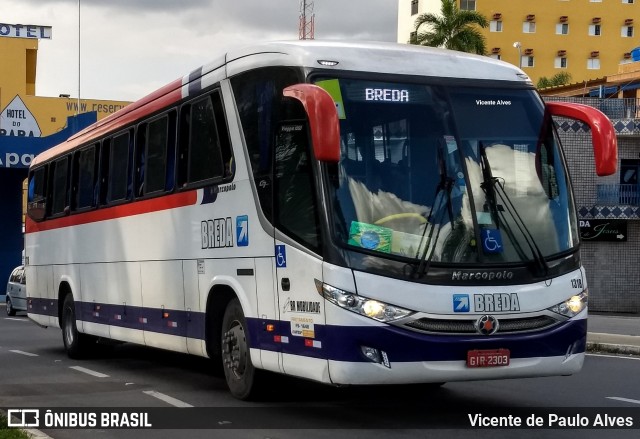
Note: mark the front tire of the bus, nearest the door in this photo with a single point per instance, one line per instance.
(239, 372)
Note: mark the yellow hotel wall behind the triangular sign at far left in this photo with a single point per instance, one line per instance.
(18, 79)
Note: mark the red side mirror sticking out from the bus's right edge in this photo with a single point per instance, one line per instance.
(603, 136)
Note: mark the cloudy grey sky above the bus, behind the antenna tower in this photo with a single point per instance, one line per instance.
(131, 47)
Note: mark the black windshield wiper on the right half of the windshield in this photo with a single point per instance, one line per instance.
(490, 184)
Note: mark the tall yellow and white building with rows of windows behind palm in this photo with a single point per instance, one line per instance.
(584, 38)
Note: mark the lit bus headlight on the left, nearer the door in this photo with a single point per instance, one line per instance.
(374, 309)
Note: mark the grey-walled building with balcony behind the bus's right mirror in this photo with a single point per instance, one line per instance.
(608, 207)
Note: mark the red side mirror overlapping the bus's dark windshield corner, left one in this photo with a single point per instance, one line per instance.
(323, 120)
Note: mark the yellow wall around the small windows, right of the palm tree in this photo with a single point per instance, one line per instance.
(577, 43)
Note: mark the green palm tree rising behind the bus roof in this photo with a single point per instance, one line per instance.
(452, 28)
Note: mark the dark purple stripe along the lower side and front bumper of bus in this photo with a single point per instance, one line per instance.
(335, 342)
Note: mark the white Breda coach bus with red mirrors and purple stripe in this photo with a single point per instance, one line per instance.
(346, 213)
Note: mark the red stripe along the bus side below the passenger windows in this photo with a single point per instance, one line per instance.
(124, 210)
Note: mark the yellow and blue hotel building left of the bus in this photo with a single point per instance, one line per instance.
(29, 124)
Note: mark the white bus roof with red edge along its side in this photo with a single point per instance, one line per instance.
(389, 58)
